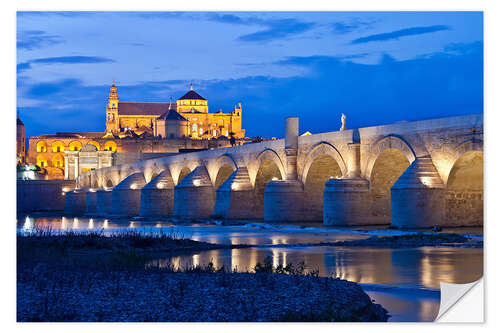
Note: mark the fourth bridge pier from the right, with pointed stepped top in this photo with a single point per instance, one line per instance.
(235, 198)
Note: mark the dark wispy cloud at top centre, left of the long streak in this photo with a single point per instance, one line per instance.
(277, 29)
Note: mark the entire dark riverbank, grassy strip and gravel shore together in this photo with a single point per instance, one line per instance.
(92, 277)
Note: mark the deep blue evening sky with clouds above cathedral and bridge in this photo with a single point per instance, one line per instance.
(375, 67)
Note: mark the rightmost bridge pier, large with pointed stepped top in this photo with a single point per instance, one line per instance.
(418, 196)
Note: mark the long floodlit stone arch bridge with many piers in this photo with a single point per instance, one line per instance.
(410, 174)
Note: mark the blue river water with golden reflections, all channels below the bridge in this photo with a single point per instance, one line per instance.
(404, 281)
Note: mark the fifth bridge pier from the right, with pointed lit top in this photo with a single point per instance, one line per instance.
(194, 195)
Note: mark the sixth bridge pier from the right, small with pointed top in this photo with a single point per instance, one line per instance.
(157, 197)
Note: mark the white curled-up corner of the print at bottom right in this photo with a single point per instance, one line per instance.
(461, 303)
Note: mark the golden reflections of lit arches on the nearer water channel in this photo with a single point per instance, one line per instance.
(421, 267)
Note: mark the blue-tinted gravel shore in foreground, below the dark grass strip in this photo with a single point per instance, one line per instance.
(47, 295)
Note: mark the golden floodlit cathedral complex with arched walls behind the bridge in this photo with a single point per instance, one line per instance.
(135, 131)
